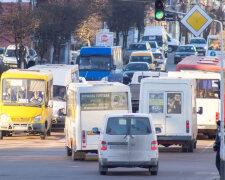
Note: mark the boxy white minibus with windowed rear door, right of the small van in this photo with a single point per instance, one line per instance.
(171, 102)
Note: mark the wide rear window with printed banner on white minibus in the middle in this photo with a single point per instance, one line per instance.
(104, 101)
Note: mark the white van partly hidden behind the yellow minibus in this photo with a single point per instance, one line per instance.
(63, 75)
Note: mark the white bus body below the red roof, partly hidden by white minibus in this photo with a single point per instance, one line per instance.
(207, 98)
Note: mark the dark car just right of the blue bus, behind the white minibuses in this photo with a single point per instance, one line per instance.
(131, 68)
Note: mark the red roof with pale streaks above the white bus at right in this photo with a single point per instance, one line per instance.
(204, 63)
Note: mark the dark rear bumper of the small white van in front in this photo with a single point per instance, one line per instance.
(144, 164)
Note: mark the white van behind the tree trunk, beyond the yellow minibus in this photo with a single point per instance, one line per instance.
(10, 56)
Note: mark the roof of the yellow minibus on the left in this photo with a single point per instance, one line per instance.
(20, 72)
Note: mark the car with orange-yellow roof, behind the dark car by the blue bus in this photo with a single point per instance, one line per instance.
(143, 56)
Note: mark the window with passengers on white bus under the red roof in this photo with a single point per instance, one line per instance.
(207, 88)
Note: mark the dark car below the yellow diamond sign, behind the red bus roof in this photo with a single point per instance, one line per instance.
(183, 51)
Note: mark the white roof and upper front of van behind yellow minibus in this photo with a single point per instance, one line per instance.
(57, 71)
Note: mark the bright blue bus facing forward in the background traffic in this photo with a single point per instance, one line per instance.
(97, 63)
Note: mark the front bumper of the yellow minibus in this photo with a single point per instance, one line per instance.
(31, 127)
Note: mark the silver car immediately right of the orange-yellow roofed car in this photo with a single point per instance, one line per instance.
(161, 61)
